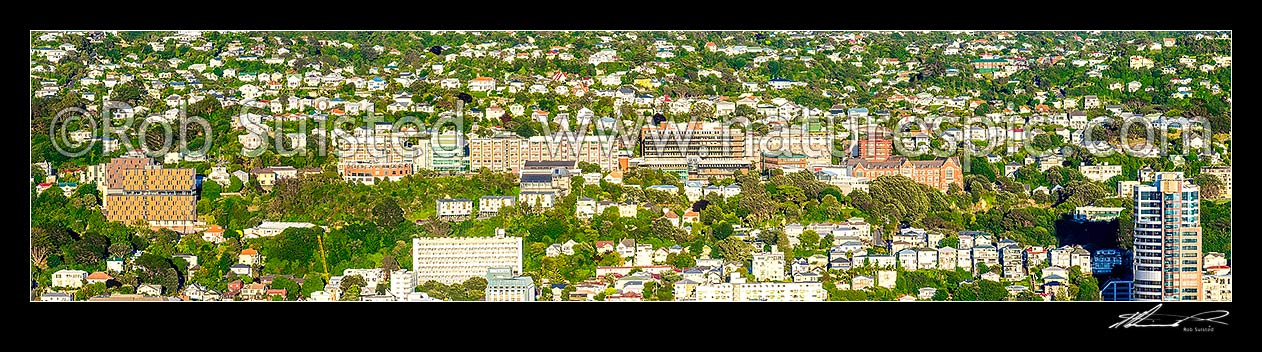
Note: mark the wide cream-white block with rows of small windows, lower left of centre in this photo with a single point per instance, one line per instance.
(452, 261)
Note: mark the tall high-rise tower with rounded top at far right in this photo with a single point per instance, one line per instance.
(1168, 254)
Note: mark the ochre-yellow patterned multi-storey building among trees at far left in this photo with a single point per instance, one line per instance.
(163, 199)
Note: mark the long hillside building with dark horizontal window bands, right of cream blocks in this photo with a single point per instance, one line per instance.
(697, 151)
